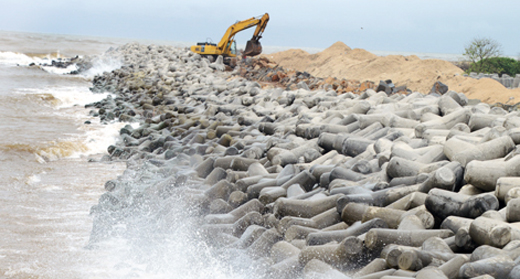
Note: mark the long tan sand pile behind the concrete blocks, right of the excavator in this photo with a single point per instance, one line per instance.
(341, 61)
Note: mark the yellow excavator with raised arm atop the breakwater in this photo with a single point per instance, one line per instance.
(227, 46)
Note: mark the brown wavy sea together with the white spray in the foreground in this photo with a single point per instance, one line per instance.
(51, 176)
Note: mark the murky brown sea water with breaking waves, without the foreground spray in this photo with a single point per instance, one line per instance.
(47, 185)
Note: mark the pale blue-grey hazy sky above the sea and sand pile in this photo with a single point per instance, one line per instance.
(404, 25)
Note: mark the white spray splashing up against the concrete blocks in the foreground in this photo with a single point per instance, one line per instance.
(159, 232)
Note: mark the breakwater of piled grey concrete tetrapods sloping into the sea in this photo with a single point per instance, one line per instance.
(312, 183)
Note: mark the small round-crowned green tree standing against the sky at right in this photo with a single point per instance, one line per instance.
(480, 49)
